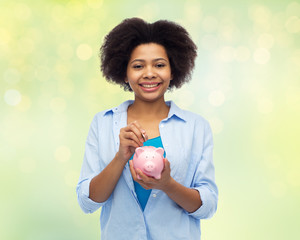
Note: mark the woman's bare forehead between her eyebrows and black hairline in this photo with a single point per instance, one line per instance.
(149, 51)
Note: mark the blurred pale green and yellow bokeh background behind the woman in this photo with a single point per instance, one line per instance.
(246, 83)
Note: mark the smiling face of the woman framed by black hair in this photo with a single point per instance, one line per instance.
(149, 72)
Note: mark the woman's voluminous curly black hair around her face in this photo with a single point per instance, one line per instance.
(131, 32)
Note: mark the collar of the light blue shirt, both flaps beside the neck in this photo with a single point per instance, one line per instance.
(175, 111)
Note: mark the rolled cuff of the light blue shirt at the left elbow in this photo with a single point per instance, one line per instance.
(83, 192)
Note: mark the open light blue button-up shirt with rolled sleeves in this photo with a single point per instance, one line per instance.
(188, 143)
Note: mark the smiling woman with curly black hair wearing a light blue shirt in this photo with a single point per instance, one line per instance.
(148, 59)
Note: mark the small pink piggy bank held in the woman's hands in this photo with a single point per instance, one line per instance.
(150, 160)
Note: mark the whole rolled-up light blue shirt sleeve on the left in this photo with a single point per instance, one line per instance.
(90, 168)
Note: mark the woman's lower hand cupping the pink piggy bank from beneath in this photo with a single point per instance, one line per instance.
(150, 182)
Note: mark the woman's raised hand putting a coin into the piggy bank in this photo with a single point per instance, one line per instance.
(131, 137)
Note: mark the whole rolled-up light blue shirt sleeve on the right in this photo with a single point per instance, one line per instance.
(204, 179)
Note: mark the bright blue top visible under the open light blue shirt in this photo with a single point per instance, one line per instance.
(143, 194)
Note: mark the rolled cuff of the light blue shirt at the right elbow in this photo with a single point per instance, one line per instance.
(208, 207)
